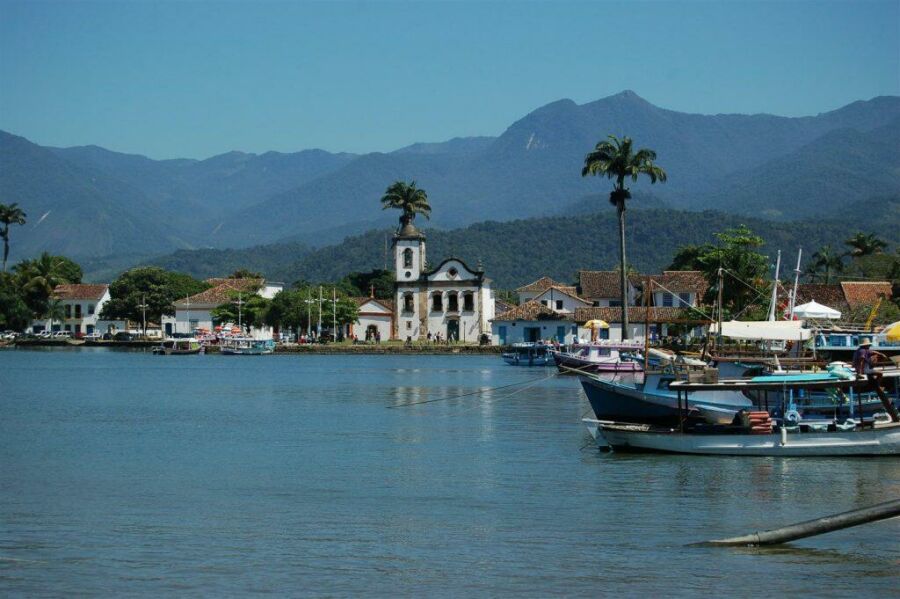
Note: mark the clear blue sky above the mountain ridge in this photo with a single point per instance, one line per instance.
(194, 79)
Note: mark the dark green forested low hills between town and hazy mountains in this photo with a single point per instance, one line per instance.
(519, 251)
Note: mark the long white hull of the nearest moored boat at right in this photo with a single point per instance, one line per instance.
(880, 439)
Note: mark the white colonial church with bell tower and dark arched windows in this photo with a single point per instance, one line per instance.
(451, 300)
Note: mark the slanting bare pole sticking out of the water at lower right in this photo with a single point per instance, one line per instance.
(810, 528)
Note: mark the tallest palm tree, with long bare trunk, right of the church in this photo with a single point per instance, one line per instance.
(614, 159)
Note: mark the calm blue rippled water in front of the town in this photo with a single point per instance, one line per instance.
(127, 473)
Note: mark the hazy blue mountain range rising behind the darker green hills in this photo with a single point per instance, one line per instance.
(90, 203)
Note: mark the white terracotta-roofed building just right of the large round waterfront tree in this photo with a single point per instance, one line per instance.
(195, 312)
